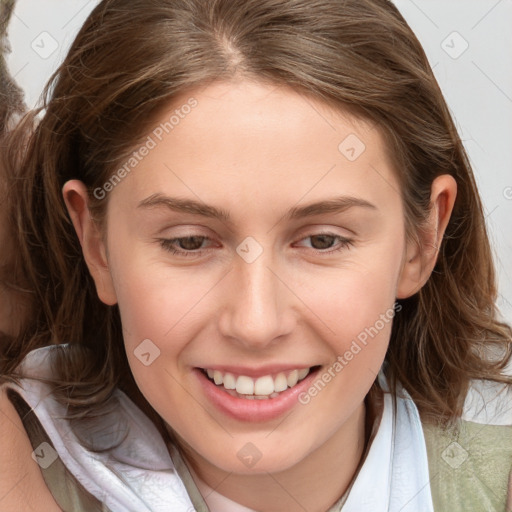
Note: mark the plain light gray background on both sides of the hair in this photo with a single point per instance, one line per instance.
(469, 45)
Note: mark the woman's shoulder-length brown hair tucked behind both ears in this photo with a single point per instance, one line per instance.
(132, 57)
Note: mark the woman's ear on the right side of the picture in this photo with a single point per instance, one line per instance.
(420, 259)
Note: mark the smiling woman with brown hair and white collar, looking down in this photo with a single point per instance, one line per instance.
(254, 232)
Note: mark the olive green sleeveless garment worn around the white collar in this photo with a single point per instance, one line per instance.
(469, 468)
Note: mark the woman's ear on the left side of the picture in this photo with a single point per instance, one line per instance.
(88, 232)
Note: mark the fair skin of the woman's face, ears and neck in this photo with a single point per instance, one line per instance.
(256, 151)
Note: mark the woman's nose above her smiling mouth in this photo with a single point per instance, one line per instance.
(257, 307)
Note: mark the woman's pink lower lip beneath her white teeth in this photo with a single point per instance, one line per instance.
(243, 409)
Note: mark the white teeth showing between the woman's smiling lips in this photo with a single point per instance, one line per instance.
(262, 388)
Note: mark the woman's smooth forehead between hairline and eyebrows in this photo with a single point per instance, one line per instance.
(257, 142)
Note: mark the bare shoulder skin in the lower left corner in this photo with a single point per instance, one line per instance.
(22, 486)
